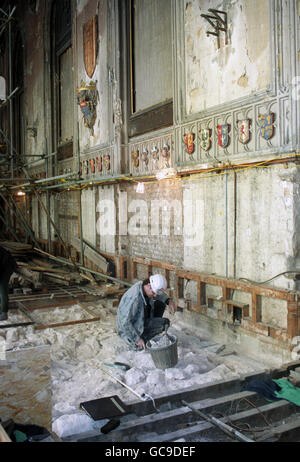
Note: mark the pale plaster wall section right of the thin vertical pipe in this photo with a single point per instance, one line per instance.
(265, 224)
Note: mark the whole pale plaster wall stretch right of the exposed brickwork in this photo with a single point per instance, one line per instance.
(242, 226)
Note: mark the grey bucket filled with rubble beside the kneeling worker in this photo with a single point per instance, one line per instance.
(164, 356)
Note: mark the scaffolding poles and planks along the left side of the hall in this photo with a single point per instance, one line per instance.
(28, 184)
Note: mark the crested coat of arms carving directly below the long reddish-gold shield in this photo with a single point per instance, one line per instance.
(87, 97)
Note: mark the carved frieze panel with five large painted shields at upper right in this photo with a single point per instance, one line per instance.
(234, 134)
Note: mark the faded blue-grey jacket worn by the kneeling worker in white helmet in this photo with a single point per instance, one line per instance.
(130, 317)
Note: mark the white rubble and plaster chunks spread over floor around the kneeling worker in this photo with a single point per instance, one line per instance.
(78, 354)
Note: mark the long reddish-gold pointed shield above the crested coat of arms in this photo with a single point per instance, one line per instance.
(90, 46)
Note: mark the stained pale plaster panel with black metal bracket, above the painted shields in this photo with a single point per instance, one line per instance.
(240, 68)
